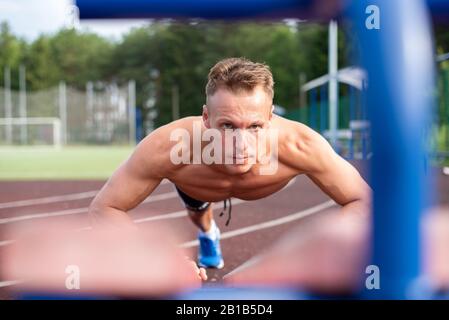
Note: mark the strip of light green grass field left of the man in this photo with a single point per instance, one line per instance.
(72, 163)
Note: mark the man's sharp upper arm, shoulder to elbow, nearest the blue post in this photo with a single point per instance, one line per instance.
(330, 172)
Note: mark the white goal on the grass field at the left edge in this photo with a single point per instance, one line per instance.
(8, 127)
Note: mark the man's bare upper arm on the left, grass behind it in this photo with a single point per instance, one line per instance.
(132, 182)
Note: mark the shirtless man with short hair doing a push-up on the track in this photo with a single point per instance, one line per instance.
(239, 99)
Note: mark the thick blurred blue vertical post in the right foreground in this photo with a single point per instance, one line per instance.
(399, 60)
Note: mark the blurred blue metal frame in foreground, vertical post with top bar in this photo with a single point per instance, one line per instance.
(398, 59)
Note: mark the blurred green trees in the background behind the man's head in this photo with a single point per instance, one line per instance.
(165, 54)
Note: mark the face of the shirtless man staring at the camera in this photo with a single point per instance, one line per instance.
(242, 118)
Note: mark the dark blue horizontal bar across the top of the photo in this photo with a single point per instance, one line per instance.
(210, 9)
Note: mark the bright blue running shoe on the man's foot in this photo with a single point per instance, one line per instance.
(209, 254)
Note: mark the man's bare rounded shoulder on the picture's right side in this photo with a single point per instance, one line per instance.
(300, 145)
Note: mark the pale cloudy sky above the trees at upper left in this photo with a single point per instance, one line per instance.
(30, 18)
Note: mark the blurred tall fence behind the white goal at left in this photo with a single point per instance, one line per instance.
(100, 114)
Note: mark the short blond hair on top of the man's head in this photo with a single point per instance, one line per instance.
(237, 74)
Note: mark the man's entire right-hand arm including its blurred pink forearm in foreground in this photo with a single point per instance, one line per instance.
(326, 254)
